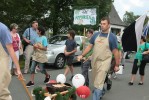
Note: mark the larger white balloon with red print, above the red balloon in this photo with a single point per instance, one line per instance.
(78, 80)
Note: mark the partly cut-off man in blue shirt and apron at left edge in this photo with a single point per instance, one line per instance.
(5, 48)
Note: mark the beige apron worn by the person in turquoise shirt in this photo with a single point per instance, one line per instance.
(39, 55)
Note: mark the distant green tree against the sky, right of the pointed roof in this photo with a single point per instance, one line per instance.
(129, 17)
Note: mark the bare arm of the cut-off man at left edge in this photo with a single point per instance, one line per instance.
(14, 58)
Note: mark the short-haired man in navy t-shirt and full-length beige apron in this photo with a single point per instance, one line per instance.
(103, 44)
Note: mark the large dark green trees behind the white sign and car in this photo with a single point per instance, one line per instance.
(59, 12)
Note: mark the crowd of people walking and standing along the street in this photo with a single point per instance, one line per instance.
(102, 52)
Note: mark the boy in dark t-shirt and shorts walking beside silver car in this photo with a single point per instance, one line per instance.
(69, 51)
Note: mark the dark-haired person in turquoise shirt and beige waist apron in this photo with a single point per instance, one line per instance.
(39, 56)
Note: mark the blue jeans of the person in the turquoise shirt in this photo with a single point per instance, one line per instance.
(41, 66)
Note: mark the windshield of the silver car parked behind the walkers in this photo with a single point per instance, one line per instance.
(58, 40)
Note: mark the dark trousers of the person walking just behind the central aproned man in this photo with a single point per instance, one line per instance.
(85, 66)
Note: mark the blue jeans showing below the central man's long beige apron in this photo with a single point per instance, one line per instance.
(97, 94)
